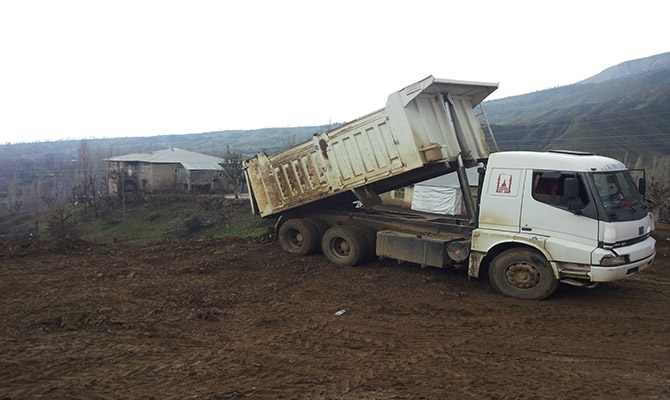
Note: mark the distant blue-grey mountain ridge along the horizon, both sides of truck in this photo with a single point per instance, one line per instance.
(628, 100)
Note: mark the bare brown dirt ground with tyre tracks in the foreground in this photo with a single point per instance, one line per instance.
(239, 318)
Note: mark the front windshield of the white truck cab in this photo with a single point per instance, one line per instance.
(619, 195)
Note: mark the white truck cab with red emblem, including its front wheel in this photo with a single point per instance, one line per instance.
(546, 217)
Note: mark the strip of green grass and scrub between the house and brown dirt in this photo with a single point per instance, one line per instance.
(157, 219)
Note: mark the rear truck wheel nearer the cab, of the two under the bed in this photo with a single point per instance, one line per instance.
(344, 245)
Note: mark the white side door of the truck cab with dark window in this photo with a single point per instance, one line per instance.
(549, 215)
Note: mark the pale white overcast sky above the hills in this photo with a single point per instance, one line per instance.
(99, 69)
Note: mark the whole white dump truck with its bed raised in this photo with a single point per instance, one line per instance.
(538, 218)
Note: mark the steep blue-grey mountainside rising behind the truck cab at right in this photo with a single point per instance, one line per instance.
(622, 112)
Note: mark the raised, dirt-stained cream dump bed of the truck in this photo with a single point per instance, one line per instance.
(421, 133)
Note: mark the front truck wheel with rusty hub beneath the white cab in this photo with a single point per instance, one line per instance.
(522, 273)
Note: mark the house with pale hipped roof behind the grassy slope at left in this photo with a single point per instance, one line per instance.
(172, 170)
